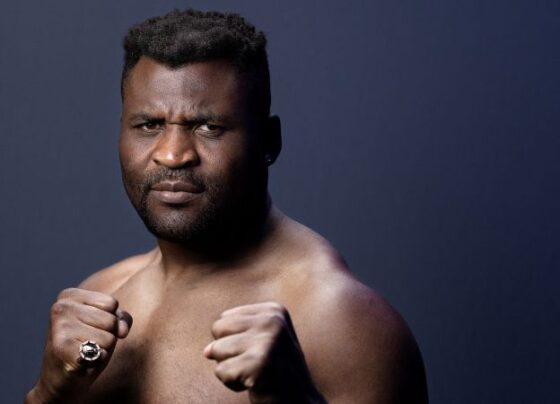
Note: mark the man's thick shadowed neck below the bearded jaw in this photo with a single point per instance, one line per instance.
(237, 241)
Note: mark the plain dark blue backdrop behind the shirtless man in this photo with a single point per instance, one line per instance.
(420, 137)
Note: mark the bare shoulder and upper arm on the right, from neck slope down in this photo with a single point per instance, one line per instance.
(358, 347)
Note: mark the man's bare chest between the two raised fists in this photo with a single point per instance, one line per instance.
(162, 358)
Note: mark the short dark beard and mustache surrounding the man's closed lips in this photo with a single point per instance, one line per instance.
(217, 211)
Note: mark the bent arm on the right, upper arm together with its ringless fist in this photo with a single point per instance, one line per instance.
(361, 352)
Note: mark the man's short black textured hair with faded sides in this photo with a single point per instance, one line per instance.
(182, 37)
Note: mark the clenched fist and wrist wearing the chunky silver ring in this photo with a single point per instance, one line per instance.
(78, 315)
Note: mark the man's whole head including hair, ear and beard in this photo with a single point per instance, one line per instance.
(196, 135)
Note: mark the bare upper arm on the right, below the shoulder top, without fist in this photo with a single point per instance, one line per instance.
(364, 352)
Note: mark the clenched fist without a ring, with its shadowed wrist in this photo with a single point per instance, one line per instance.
(256, 349)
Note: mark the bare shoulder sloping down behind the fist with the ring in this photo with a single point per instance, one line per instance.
(109, 279)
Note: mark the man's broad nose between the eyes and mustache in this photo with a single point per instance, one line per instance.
(175, 148)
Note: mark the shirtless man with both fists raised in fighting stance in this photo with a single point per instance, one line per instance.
(237, 303)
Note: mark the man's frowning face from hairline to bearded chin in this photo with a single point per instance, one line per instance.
(190, 159)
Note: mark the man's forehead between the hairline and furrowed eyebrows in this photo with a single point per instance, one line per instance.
(201, 85)
